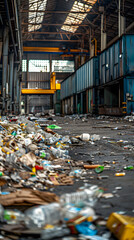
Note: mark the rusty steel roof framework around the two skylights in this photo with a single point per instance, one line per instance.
(74, 31)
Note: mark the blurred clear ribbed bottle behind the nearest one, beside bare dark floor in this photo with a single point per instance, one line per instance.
(87, 197)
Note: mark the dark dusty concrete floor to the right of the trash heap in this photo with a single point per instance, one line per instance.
(107, 151)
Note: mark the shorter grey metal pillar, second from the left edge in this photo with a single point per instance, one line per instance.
(11, 57)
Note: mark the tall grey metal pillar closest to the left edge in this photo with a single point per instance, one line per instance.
(5, 67)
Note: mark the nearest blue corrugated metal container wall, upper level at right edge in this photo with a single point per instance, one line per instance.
(117, 60)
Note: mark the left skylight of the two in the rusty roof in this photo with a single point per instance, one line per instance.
(36, 17)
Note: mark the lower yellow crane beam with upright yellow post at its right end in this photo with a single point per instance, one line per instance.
(53, 87)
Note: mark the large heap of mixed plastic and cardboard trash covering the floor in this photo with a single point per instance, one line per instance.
(33, 161)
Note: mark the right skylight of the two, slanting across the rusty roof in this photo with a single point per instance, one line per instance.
(77, 18)
